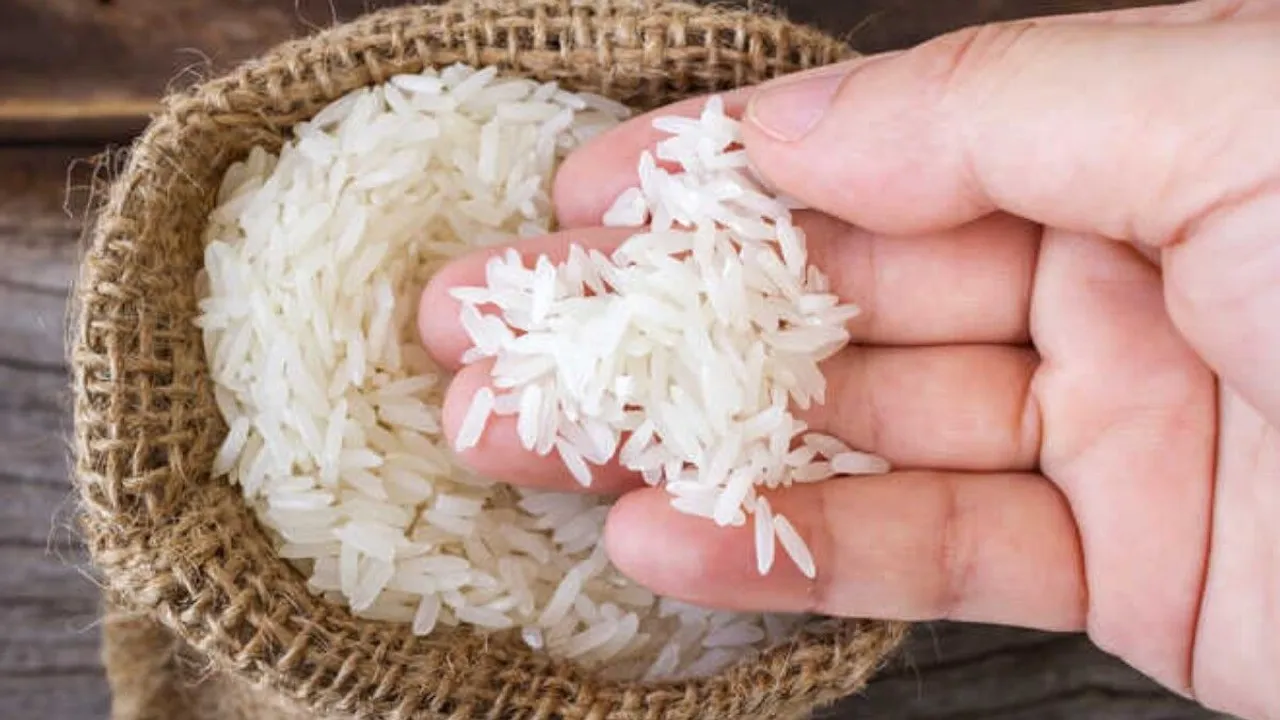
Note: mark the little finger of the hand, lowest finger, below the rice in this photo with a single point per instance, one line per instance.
(909, 546)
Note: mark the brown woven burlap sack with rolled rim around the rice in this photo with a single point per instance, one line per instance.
(205, 621)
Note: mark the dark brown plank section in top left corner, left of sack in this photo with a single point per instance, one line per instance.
(97, 69)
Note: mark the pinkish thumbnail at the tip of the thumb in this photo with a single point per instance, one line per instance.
(788, 110)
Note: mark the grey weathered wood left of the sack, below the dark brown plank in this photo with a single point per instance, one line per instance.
(49, 608)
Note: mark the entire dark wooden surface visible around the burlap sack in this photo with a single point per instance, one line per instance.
(77, 76)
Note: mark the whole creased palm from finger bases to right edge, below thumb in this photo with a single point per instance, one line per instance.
(1168, 476)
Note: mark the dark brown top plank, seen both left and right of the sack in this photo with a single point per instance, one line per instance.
(94, 70)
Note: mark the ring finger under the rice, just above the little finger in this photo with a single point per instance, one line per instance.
(952, 408)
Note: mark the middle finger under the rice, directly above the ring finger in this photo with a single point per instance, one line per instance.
(968, 285)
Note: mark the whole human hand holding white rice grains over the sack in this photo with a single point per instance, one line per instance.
(1067, 239)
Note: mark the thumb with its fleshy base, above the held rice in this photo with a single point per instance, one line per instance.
(1162, 135)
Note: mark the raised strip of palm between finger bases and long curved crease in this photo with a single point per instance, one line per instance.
(1128, 417)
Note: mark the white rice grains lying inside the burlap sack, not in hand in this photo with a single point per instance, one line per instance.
(314, 263)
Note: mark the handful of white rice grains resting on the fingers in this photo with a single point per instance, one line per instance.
(694, 339)
